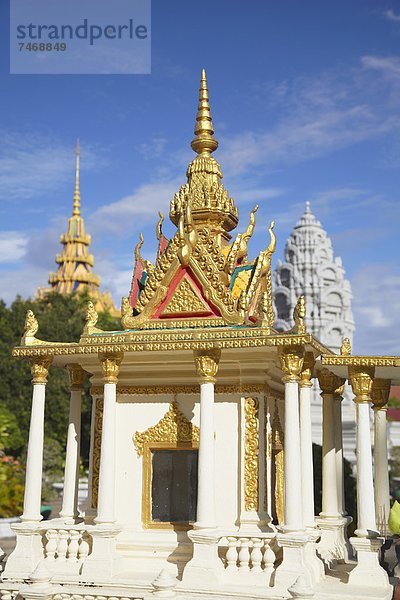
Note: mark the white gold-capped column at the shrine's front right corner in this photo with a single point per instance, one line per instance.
(291, 363)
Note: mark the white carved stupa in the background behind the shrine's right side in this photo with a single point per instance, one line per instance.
(310, 268)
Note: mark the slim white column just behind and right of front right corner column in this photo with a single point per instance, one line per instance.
(307, 468)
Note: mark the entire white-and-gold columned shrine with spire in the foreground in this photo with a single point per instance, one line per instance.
(201, 474)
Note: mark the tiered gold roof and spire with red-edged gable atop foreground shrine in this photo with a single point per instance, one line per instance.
(196, 273)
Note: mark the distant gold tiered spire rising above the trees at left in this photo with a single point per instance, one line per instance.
(75, 263)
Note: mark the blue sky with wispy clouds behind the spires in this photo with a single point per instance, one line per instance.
(305, 102)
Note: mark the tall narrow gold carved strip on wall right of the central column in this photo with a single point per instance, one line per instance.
(251, 454)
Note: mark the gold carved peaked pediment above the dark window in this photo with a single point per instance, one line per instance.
(173, 428)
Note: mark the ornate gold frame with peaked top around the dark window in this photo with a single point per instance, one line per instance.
(172, 432)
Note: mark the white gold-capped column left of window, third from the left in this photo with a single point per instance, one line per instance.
(106, 493)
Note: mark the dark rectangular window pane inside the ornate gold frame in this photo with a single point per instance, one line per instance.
(174, 485)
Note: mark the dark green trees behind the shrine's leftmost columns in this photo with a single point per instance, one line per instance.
(60, 318)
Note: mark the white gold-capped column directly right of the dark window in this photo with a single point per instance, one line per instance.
(207, 368)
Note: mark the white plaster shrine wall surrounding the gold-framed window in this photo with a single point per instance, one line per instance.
(138, 413)
